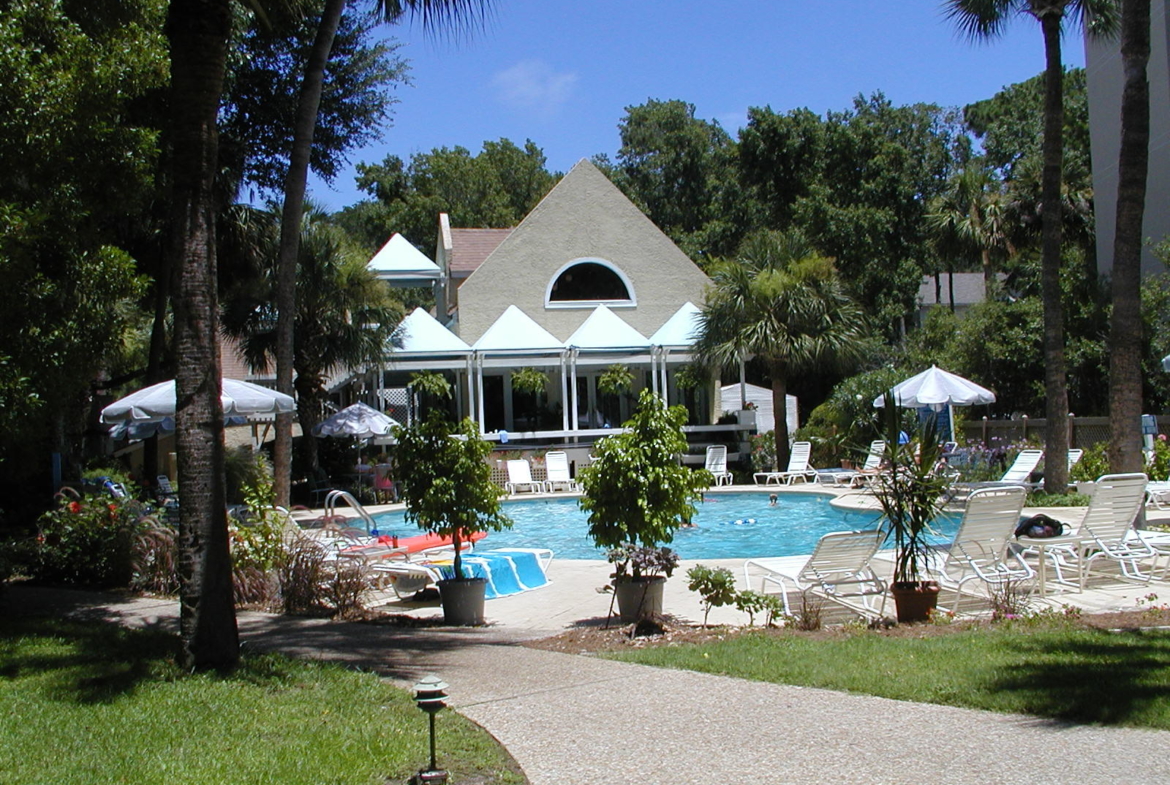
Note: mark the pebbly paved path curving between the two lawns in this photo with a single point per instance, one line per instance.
(583, 721)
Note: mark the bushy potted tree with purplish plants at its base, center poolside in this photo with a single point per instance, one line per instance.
(637, 494)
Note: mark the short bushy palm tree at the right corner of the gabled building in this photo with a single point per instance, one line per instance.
(784, 304)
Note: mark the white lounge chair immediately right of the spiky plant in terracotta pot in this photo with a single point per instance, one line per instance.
(980, 550)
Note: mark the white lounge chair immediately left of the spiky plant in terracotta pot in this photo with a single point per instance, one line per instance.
(839, 568)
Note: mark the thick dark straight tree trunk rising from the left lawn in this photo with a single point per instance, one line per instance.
(198, 33)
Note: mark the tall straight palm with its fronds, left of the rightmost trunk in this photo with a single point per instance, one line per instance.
(987, 19)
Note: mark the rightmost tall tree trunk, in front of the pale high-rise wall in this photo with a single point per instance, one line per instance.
(1126, 332)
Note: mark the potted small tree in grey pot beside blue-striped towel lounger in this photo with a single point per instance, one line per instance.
(446, 483)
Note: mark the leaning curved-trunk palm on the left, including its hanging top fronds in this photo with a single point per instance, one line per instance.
(453, 13)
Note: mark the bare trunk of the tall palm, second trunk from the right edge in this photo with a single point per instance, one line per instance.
(1056, 476)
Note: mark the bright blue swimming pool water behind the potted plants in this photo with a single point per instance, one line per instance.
(737, 526)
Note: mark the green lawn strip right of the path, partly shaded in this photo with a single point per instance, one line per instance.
(1050, 669)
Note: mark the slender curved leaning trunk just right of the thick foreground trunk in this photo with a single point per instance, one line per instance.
(305, 127)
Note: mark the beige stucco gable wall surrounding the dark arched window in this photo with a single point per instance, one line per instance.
(584, 217)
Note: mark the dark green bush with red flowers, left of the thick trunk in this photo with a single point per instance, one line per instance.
(86, 542)
